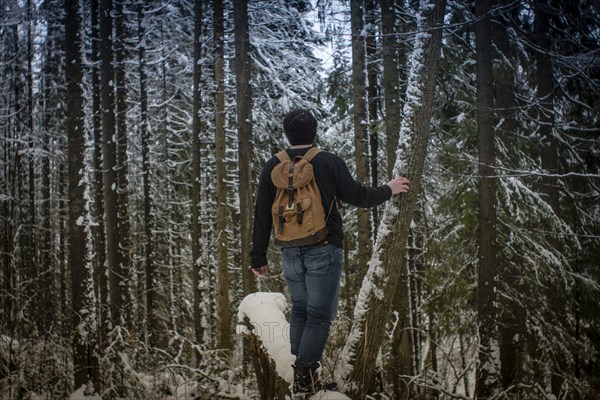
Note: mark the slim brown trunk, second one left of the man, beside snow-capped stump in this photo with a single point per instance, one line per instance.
(225, 335)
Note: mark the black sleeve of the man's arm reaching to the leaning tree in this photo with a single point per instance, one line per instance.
(353, 192)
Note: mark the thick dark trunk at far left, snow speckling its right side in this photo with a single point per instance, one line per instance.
(83, 308)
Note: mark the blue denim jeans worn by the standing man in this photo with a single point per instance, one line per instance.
(313, 277)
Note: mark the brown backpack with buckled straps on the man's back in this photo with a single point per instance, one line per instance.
(298, 214)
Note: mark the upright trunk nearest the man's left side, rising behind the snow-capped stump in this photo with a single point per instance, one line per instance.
(243, 69)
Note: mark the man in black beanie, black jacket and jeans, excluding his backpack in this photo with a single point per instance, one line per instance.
(312, 272)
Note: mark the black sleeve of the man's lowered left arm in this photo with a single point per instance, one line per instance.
(262, 226)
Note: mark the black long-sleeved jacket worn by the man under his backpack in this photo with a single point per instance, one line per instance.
(334, 181)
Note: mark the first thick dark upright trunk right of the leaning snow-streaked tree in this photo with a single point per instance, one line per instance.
(488, 369)
